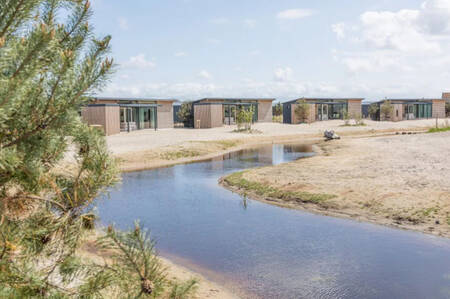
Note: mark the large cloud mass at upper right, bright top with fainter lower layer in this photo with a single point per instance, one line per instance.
(397, 41)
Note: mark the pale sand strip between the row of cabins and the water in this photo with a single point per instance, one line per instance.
(149, 149)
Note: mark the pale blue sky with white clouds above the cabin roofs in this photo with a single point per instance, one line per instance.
(188, 49)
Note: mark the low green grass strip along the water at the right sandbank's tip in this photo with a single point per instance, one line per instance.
(237, 180)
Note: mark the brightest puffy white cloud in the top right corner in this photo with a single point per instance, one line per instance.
(419, 30)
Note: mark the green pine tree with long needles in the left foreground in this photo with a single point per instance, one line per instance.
(50, 64)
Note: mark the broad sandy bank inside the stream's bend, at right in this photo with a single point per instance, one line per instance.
(401, 181)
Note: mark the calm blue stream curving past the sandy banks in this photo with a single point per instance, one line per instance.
(270, 252)
